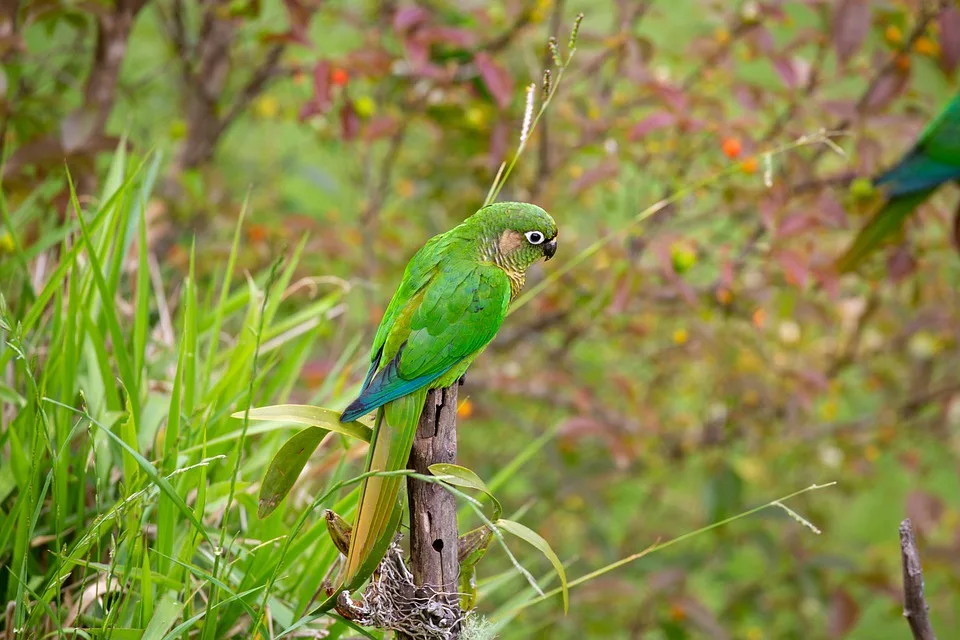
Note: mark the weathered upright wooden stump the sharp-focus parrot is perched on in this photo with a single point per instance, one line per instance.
(433, 510)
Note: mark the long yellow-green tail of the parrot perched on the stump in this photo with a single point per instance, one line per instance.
(392, 440)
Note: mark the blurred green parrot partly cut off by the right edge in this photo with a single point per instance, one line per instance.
(933, 160)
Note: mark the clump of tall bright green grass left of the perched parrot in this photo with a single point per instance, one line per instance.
(126, 506)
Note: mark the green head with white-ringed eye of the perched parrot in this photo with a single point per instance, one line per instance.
(518, 233)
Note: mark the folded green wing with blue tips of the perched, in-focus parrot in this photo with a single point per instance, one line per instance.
(457, 314)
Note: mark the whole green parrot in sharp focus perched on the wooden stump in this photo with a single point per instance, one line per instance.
(450, 304)
